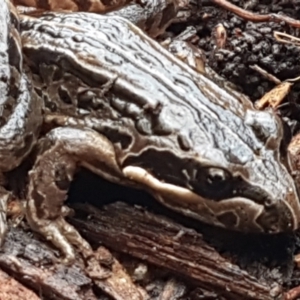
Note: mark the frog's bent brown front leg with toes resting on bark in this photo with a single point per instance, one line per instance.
(61, 152)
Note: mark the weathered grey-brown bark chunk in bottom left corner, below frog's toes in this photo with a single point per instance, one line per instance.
(33, 263)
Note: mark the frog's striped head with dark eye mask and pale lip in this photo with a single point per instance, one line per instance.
(232, 176)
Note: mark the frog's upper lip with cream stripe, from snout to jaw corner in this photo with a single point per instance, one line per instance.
(236, 213)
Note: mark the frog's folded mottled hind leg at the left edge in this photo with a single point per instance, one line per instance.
(20, 108)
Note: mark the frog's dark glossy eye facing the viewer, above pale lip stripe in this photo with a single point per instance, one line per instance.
(214, 183)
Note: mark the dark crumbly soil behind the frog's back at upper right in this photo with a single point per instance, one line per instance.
(249, 44)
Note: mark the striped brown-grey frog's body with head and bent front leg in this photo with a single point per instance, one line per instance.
(134, 114)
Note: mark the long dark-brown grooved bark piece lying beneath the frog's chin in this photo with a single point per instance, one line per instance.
(166, 244)
